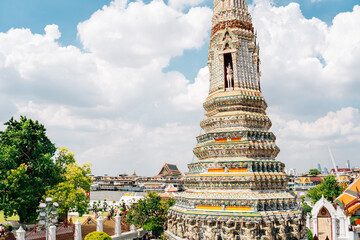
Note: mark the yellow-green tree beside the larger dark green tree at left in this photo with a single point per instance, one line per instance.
(71, 192)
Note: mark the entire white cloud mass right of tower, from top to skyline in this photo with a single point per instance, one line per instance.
(308, 73)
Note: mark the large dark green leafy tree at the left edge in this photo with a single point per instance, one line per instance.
(27, 169)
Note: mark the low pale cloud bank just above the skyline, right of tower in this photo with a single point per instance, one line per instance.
(307, 142)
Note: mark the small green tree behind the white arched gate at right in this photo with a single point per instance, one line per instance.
(329, 188)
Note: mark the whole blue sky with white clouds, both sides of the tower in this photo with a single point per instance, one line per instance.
(121, 83)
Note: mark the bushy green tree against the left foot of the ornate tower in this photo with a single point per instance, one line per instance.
(150, 213)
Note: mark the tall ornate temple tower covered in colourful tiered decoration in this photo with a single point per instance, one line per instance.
(236, 189)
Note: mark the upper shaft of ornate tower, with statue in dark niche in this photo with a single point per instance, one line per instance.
(233, 43)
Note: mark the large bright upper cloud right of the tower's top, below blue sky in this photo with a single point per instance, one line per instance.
(314, 63)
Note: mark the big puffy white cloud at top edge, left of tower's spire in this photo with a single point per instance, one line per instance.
(144, 34)
